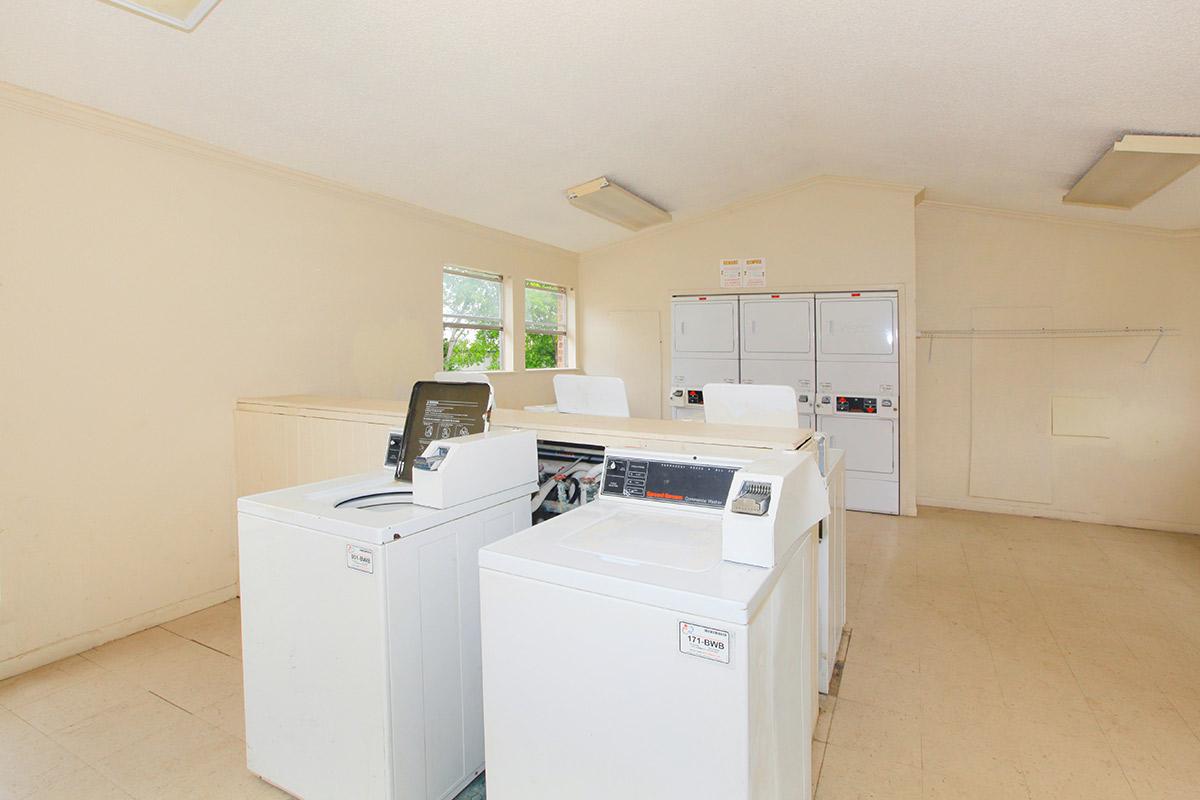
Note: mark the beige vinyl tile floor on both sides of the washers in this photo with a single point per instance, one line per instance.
(989, 657)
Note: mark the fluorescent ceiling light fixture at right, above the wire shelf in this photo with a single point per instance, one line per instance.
(1136, 167)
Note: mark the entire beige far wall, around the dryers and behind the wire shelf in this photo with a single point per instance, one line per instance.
(971, 267)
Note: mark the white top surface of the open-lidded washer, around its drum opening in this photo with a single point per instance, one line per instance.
(370, 508)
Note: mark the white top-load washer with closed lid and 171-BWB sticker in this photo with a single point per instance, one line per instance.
(661, 642)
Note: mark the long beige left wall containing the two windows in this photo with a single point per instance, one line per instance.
(146, 282)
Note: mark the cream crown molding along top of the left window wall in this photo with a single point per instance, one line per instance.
(93, 119)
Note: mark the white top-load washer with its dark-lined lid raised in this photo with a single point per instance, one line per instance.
(361, 622)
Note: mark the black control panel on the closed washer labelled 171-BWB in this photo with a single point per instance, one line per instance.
(682, 483)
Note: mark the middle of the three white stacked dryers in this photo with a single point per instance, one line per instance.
(778, 346)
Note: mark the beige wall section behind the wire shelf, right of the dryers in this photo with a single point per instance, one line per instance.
(1144, 473)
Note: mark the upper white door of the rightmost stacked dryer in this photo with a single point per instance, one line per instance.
(857, 328)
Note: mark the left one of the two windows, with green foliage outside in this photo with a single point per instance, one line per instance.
(472, 320)
